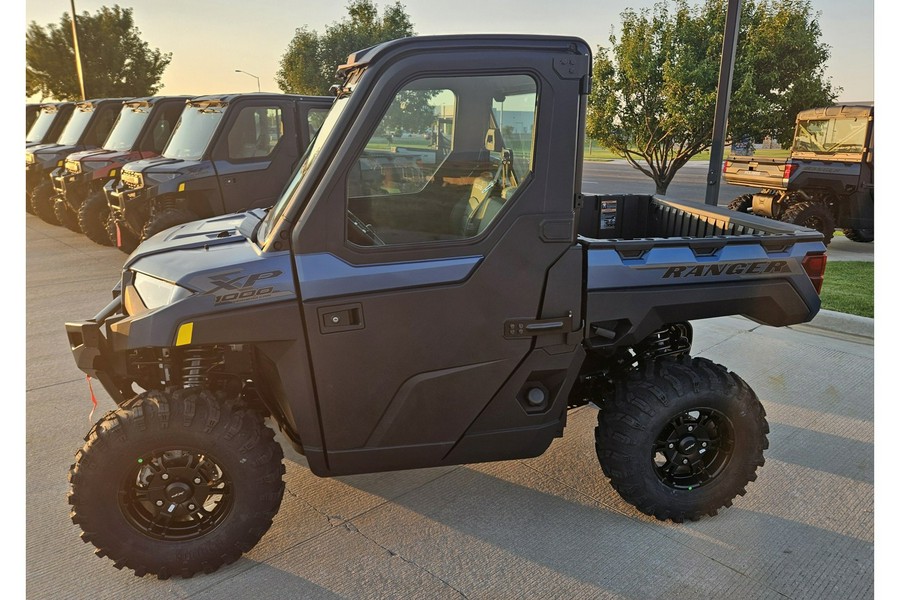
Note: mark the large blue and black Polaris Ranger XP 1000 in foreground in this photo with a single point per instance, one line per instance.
(387, 318)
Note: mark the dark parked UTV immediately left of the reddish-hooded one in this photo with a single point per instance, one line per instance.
(88, 127)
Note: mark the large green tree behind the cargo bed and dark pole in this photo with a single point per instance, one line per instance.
(654, 90)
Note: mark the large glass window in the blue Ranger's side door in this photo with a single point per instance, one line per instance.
(447, 156)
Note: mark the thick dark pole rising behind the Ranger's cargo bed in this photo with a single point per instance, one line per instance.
(723, 98)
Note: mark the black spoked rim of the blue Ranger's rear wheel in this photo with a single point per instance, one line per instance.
(693, 448)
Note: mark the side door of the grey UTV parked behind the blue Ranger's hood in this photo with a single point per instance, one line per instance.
(255, 153)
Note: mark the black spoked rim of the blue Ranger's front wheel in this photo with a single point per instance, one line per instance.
(176, 495)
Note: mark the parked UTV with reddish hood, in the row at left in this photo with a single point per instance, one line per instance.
(141, 131)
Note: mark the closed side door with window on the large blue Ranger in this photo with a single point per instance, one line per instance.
(420, 309)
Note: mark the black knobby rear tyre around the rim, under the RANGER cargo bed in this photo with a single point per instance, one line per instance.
(629, 424)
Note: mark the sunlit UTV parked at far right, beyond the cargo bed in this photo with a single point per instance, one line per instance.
(829, 180)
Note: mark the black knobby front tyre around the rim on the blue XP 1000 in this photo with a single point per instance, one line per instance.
(236, 435)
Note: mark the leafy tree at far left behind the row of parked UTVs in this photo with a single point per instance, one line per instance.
(115, 61)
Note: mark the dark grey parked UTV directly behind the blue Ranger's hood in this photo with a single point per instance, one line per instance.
(228, 152)
